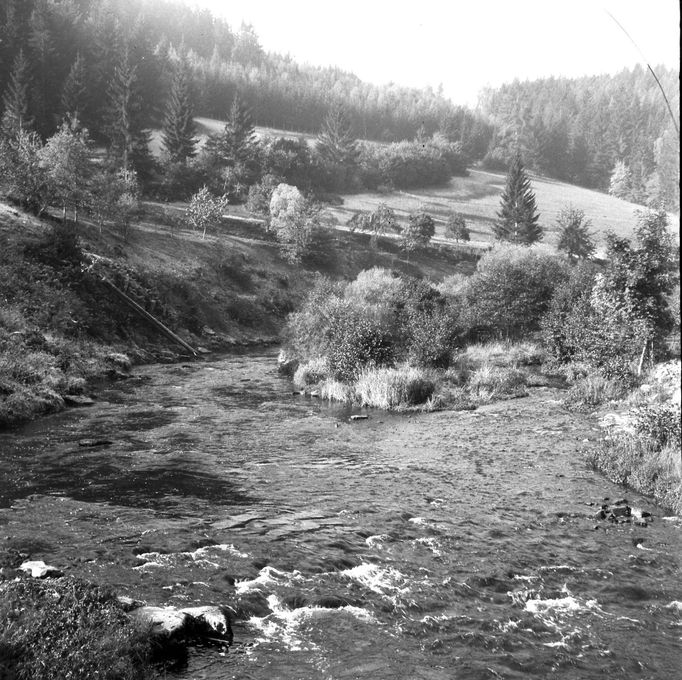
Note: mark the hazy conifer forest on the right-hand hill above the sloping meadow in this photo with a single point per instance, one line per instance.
(610, 132)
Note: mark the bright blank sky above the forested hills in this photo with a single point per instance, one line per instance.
(462, 45)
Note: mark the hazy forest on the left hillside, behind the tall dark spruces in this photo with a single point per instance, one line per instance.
(73, 49)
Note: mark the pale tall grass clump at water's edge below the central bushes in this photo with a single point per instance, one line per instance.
(394, 388)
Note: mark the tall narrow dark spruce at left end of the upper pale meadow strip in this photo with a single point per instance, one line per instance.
(178, 125)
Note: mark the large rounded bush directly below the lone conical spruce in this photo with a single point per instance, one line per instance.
(511, 289)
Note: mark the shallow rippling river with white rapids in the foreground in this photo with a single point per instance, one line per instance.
(435, 546)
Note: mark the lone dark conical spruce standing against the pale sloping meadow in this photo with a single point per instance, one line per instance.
(518, 216)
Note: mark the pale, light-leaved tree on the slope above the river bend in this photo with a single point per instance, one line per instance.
(293, 220)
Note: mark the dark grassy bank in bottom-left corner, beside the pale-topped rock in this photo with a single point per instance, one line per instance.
(66, 628)
